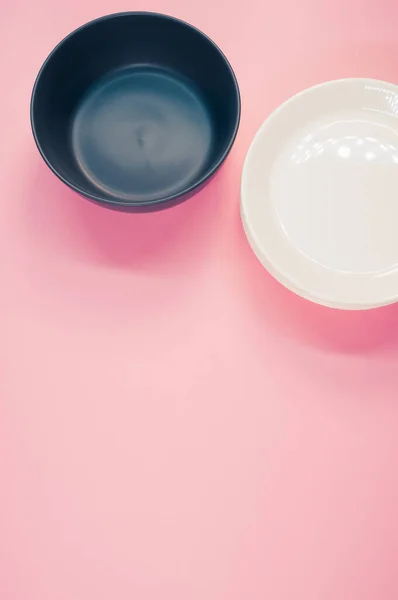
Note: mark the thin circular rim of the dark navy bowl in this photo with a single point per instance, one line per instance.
(164, 199)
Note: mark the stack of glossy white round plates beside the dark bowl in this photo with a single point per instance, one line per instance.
(319, 197)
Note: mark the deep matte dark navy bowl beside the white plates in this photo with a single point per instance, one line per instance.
(135, 111)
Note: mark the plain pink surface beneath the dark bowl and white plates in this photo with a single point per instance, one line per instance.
(174, 424)
